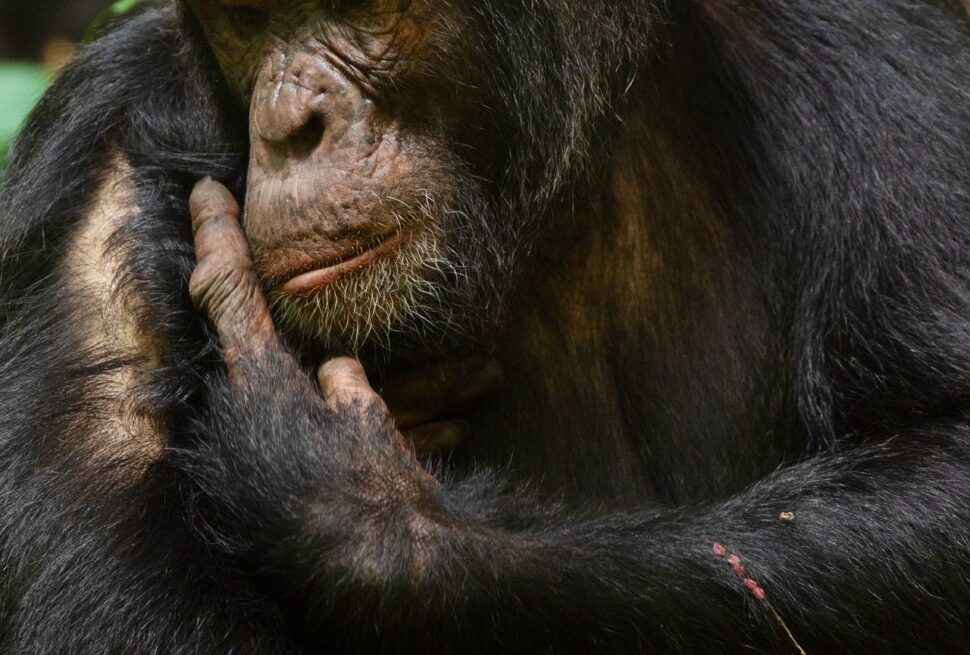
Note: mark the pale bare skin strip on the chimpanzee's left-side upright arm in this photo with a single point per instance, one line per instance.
(121, 426)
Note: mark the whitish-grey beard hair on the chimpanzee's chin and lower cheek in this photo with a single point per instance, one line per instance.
(428, 291)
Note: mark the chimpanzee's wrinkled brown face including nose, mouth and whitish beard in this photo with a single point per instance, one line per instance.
(359, 216)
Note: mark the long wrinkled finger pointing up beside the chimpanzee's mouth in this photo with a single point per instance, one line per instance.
(224, 283)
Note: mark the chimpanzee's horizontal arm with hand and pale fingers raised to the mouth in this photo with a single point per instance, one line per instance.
(319, 494)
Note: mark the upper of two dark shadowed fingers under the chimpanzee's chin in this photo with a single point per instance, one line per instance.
(418, 398)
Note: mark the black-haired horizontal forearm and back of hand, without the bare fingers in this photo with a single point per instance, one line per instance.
(388, 545)
